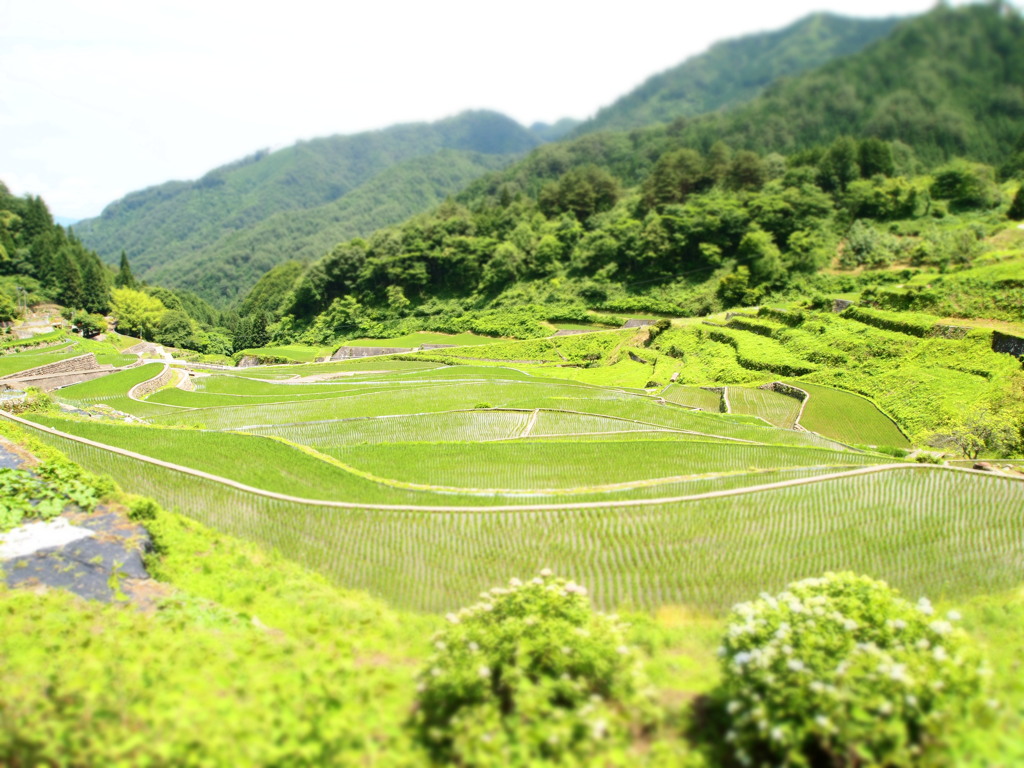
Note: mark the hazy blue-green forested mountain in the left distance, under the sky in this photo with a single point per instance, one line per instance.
(330, 190)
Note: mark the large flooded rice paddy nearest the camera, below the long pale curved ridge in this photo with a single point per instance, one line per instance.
(946, 534)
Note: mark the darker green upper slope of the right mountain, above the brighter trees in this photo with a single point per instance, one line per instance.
(949, 83)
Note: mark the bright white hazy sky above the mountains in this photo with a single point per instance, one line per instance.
(102, 98)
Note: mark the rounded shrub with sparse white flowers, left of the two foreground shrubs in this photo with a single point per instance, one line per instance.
(530, 673)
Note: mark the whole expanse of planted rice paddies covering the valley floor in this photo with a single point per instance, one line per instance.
(421, 484)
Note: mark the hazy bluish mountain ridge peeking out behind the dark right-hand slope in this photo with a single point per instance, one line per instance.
(737, 71)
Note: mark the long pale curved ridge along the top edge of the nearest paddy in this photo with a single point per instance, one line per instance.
(505, 508)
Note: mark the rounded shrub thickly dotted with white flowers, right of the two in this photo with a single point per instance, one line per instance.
(841, 671)
